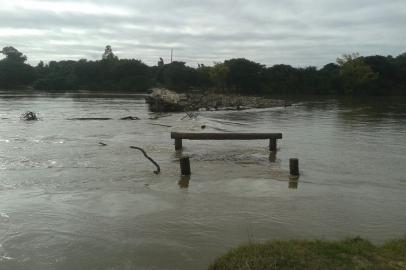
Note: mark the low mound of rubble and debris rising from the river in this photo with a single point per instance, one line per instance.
(164, 100)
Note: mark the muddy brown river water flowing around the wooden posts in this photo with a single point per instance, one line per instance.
(68, 202)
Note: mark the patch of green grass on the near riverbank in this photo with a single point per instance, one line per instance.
(348, 254)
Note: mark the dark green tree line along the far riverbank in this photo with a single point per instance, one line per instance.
(350, 75)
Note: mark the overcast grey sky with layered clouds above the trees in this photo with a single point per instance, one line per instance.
(296, 32)
